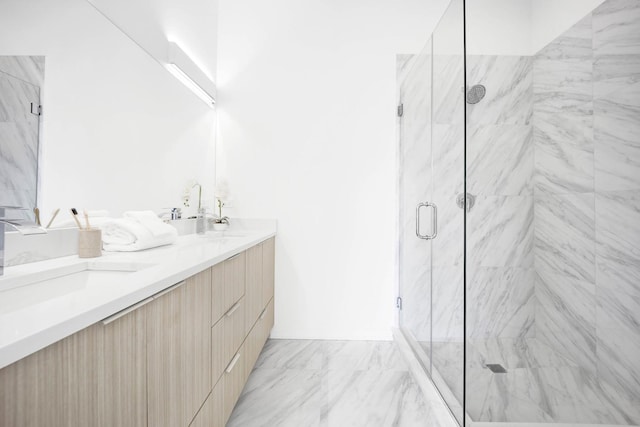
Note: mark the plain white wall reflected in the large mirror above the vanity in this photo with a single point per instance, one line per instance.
(119, 131)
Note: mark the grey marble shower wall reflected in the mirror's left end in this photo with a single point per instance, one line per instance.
(21, 81)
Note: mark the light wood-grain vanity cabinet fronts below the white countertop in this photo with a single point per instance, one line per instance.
(180, 358)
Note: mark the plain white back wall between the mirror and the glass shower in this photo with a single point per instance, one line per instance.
(306, 93)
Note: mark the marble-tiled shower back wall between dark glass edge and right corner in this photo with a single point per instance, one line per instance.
(500, 160)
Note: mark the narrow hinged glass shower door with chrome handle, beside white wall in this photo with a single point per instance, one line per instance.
(416, 189)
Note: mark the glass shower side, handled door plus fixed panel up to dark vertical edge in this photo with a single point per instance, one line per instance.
(431, 255)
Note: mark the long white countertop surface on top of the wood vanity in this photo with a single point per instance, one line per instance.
(35, 316)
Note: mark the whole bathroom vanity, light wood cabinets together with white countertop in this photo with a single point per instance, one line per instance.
(176, 348)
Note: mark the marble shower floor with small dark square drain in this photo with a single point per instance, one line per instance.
(540, 385)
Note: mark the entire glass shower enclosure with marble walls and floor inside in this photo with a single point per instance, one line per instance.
(519, 210)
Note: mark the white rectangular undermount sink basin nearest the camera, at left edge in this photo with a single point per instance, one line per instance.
(85, 273)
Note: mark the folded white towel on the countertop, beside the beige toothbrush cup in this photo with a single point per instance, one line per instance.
(126, 235)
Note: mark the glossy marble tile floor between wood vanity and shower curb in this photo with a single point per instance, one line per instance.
(313, 383)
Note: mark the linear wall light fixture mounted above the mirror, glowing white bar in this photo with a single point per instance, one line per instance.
(185, 70)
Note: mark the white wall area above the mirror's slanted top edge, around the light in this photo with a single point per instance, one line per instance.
(193, 24)
